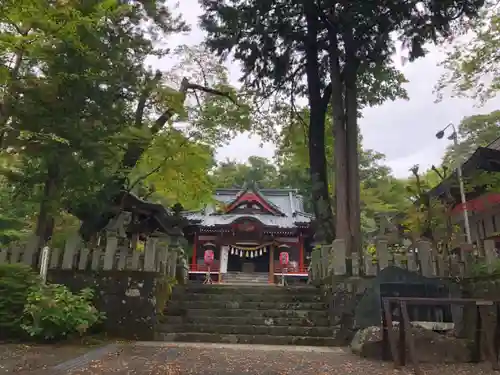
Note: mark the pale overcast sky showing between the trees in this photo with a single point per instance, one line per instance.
(402, 130)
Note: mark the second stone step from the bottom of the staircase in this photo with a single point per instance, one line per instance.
(226, 329)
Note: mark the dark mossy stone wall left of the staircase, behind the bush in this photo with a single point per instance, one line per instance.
(128, 298)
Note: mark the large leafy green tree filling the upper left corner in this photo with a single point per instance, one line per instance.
(65, 96)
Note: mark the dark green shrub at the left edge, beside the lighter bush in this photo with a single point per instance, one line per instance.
(16, 281)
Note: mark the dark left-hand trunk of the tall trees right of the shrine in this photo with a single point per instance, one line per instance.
(318, 104)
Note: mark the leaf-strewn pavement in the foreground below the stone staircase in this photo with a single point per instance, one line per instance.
(224, 359)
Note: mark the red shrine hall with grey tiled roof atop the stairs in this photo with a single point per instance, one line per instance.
(247, 230)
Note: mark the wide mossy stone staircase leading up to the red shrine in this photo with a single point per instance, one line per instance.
(270, 315)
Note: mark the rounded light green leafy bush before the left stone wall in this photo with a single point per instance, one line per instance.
(53, 312)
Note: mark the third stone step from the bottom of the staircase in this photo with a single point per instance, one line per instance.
(246, 320)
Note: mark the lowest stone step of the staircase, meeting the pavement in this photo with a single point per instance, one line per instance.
(247, 339)
